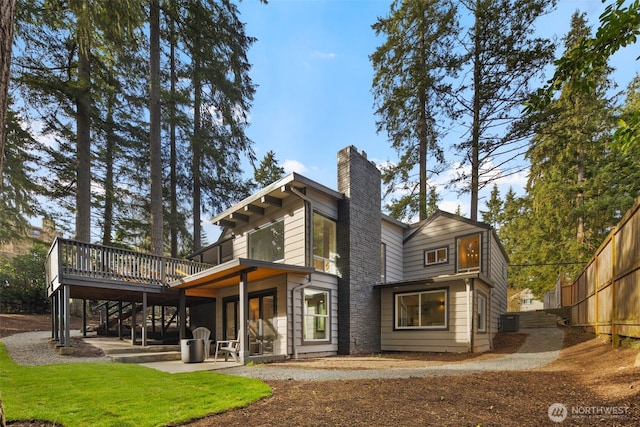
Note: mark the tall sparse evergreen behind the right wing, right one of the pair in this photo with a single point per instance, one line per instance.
(504, 55)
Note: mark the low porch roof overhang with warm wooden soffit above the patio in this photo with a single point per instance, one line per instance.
(230, 273)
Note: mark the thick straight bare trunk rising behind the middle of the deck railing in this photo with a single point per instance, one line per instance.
(154, 131)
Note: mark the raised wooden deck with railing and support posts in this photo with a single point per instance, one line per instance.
(84, 271)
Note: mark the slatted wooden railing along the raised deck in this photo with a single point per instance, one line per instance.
(71, 258)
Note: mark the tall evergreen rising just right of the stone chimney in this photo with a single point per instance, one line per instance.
(411, 93)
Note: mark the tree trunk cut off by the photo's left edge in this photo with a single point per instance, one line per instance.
(7, 10)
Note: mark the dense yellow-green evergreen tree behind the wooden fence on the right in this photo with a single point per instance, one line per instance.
(570, 158)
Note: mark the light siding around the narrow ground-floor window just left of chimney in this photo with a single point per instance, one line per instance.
(294, 311)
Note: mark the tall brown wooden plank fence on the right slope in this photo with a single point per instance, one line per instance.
(606, 295)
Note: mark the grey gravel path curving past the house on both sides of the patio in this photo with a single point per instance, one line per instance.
(541, 347)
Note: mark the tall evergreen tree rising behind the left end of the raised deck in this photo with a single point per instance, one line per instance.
(60, 45)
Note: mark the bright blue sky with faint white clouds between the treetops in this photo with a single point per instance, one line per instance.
(311, 65)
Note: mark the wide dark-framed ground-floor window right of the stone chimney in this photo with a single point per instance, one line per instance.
(422, 310)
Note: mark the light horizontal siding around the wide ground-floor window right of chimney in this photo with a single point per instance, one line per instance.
(455, 339)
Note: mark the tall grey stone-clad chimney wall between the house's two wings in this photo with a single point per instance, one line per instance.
(359, 240)
